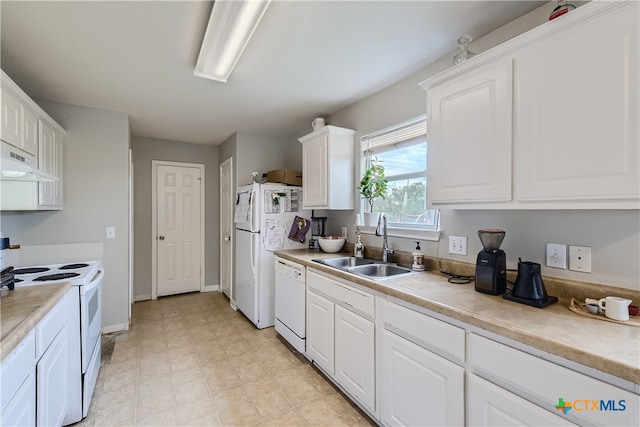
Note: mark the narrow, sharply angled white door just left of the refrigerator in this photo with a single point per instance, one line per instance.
(226, 228)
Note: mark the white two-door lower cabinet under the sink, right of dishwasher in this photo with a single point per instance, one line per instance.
(341, 336)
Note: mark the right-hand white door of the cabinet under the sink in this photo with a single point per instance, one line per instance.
(354, 355)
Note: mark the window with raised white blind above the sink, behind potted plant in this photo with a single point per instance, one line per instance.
(402, 150)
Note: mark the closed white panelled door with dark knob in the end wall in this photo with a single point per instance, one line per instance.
(178, 229)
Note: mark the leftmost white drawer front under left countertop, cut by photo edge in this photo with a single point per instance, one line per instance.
(17, 367)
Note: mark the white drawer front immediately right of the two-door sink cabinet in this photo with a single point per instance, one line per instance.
(427, 332)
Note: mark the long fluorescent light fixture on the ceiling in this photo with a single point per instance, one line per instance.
(230, 28)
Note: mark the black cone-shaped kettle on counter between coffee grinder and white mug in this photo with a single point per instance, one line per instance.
(529, 288)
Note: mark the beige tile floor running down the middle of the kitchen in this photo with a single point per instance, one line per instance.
(191, 360)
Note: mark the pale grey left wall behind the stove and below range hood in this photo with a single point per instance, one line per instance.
(96, 195)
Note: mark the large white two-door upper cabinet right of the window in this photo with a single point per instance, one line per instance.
(547, 120)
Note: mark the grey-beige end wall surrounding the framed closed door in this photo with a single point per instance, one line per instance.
(144, 151)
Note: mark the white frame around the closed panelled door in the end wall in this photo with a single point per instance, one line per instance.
(154, 221)
